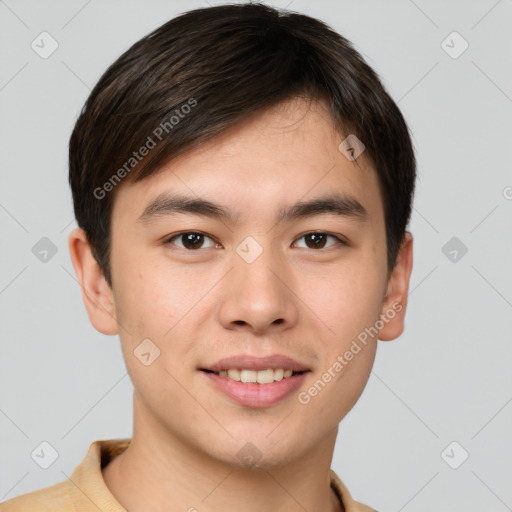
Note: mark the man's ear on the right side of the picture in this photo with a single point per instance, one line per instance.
(395, 301)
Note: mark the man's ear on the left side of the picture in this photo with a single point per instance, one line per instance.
(96, 293)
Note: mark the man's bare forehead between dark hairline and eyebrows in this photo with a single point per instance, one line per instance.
(273, 158)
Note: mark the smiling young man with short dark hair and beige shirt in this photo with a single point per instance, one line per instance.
(242, 184)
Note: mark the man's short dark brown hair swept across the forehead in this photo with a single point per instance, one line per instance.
(224, 63)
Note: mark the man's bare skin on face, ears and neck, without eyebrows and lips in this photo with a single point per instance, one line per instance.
(200, 305)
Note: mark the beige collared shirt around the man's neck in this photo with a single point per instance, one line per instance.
(85, 490)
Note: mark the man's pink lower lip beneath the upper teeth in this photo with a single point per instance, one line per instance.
(257, 395)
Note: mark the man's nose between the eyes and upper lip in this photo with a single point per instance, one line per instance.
(258, 296)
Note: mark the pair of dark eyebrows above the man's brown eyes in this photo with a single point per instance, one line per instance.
(168, 204)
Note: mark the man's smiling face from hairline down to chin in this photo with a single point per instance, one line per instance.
(272, 284)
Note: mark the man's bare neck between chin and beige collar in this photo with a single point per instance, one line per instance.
(160, 472)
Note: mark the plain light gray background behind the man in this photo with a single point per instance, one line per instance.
(446, 379)
